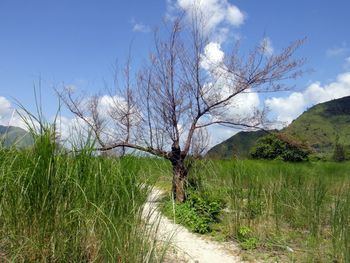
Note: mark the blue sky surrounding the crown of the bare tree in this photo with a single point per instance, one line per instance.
(78, 42)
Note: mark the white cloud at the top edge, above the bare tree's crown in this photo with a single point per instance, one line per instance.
(218, 15)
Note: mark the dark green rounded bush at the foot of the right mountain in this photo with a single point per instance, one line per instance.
(272, 147)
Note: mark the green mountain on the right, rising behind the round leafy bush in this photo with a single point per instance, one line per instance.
(319, 127)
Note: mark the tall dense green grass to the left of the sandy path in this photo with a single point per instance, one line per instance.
(56, 207)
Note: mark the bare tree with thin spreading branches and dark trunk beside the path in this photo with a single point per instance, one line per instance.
(167, 107)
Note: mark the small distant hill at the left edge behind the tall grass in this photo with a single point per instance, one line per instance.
(14, 136)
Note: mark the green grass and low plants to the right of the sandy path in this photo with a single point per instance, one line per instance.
(276, 211)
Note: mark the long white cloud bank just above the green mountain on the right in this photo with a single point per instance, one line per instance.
(288, 108)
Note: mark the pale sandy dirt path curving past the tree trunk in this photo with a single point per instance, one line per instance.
(186, 246)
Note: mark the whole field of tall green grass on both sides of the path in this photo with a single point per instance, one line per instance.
(59, 207)
